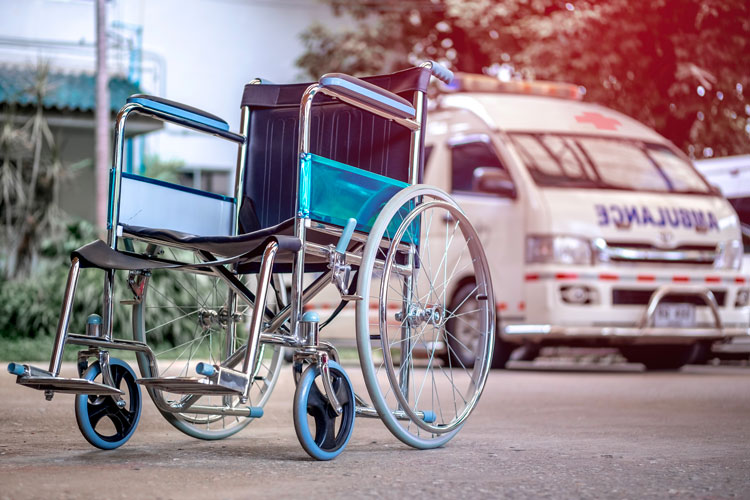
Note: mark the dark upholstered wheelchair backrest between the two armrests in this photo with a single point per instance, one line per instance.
(339, 132)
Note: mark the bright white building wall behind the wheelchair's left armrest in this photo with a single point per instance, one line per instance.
(200, 52)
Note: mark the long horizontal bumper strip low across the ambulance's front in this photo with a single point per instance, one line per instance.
(616, 335)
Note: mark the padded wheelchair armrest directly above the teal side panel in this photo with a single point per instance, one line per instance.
(364, 94)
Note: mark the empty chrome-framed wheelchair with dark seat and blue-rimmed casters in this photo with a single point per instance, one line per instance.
(327, 193)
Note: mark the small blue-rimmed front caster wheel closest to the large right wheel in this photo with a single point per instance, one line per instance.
(322, 433)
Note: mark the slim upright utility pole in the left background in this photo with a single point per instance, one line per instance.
(102, 164)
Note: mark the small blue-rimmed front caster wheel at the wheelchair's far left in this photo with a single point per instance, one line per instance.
(102, 421)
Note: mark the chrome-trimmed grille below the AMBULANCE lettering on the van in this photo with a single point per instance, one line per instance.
(630, 252)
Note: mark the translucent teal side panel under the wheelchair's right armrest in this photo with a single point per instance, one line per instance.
(338, 191)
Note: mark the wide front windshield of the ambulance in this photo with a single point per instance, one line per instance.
(606, 163)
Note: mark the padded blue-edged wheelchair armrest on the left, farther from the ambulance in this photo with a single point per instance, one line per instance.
(182, 114)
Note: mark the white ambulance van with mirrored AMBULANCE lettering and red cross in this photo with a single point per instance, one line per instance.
(599, 231)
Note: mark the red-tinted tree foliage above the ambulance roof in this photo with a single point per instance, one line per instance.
(680, 66)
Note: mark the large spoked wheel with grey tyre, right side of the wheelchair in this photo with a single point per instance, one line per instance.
(419, 252)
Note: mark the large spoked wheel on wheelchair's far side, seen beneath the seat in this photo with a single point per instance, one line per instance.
(186, 318)
